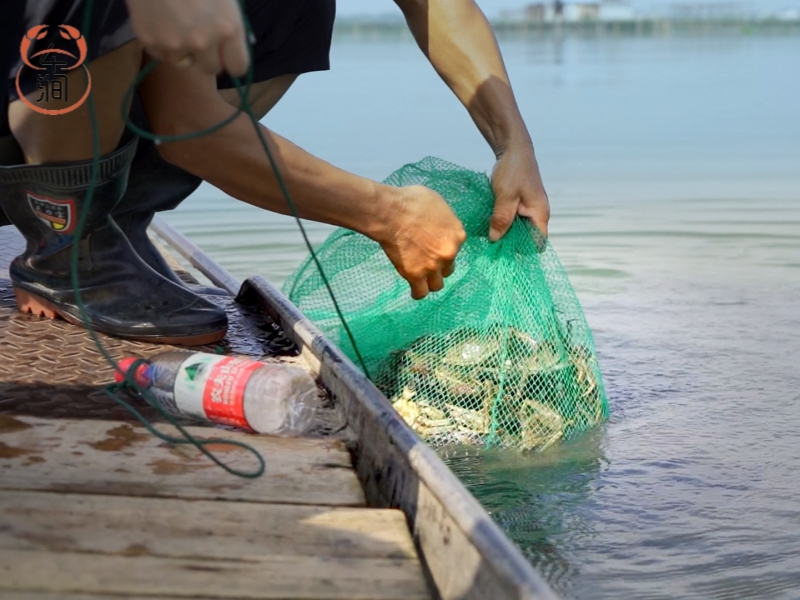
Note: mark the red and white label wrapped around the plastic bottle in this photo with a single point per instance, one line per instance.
(212, 387)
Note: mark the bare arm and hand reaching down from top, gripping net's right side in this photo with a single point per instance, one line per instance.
(460, 44)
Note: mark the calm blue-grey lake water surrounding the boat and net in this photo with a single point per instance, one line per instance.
(673, 166)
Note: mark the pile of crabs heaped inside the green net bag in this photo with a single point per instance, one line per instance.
(501, 387)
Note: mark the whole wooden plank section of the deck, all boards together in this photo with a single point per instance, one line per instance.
(103, 508)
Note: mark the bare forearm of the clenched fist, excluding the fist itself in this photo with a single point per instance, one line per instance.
(233, 159)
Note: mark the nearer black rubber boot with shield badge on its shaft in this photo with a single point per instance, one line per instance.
(122, 295)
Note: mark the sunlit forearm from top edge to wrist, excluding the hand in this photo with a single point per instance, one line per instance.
(460, 44)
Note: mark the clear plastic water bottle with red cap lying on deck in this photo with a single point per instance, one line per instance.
(271, 398)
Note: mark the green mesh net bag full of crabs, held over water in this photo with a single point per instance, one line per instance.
(501, 357)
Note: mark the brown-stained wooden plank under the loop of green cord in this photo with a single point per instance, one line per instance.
(107, 457)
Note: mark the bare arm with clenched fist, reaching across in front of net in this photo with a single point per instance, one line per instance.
(415, 227)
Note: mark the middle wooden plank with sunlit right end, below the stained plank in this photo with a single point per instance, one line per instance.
(199, 528)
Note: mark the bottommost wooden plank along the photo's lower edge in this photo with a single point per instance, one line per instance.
(296, 577)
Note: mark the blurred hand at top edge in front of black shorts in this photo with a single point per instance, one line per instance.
(207, 34)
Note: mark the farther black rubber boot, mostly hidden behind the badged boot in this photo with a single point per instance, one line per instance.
(154, 185)
